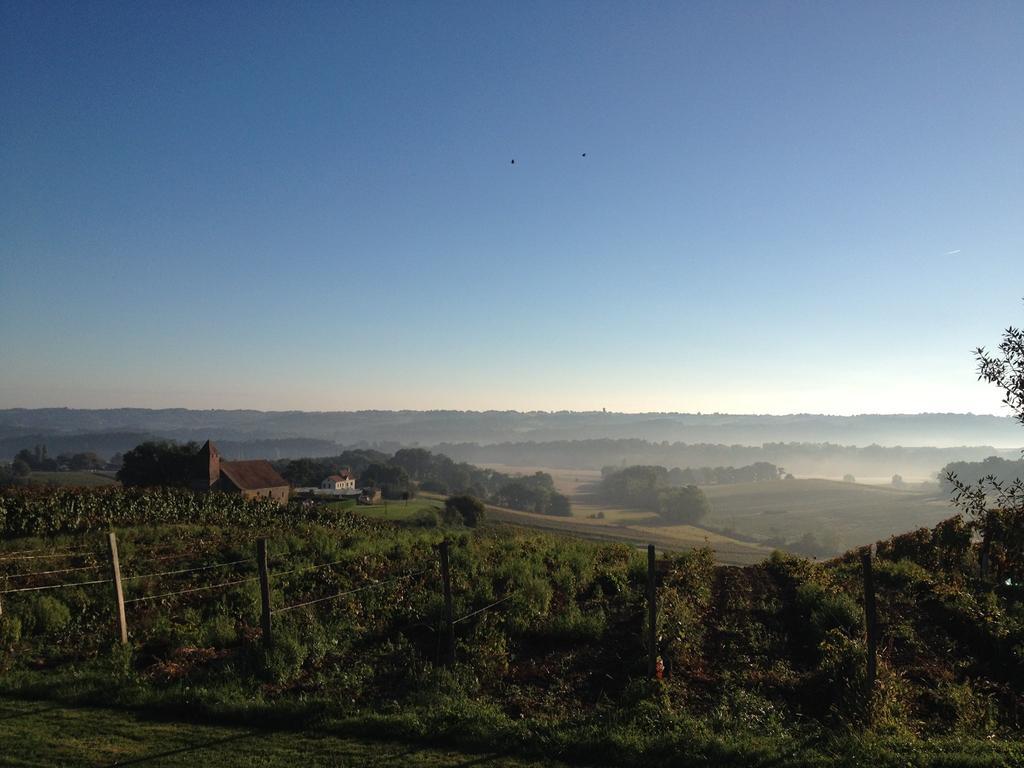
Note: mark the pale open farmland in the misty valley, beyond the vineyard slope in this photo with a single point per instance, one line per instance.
(843, 515)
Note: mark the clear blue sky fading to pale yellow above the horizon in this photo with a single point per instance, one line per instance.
(785, 207)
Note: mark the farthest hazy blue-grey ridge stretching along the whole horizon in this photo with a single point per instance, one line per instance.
(391, 430)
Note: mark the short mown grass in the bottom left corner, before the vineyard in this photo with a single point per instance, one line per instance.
(40, 734)
